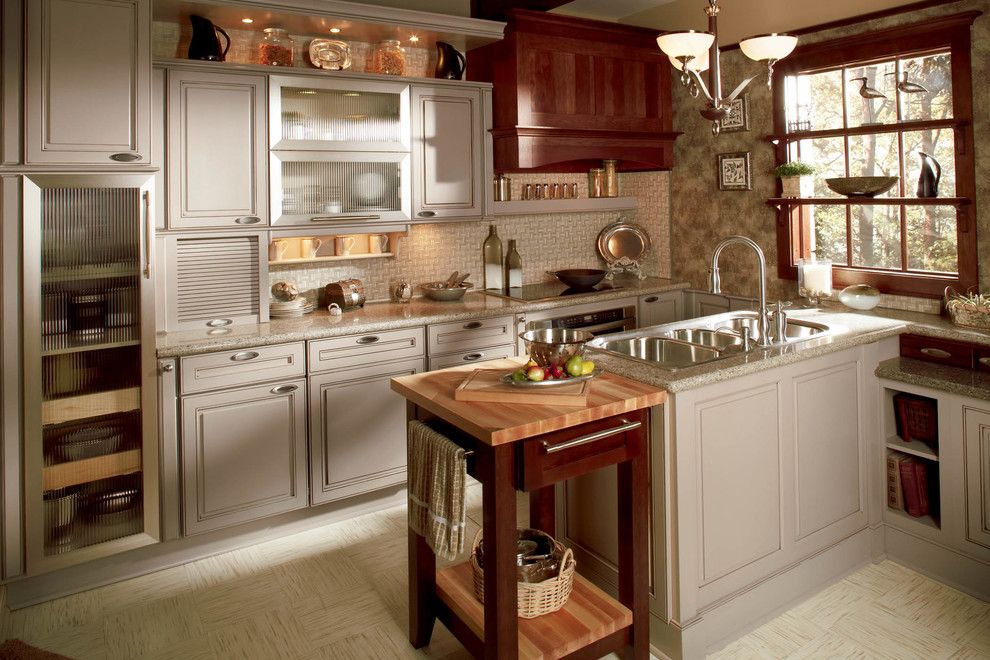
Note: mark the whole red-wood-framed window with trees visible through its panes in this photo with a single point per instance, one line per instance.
(868, 105)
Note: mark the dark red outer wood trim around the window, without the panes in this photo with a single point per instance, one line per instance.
(951, 32)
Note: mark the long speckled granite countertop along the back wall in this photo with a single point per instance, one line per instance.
(377, 317)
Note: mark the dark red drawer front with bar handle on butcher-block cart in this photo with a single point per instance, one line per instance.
(554, 457)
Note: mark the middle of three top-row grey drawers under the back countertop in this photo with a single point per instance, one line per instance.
(356, 350)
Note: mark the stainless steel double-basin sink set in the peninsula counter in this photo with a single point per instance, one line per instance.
(689, 343)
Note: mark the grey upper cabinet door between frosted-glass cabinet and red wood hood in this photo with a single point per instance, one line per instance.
(448, 169)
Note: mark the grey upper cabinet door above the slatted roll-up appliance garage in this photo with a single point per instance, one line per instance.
(217, 160)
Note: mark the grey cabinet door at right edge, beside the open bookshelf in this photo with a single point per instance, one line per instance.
(977, 460)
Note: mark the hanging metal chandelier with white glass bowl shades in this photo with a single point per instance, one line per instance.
(694, 52)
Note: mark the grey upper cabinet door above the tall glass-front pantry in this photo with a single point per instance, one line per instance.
(88, 82)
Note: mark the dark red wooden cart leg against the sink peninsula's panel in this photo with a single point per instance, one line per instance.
(634, 543)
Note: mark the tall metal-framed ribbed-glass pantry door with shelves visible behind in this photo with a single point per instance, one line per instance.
(90, 439)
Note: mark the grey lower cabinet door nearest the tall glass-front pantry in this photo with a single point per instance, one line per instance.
(243, 454)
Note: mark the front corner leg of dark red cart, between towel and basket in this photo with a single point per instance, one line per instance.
(496, 471)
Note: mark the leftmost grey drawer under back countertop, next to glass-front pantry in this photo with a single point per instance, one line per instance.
(200, 373)
